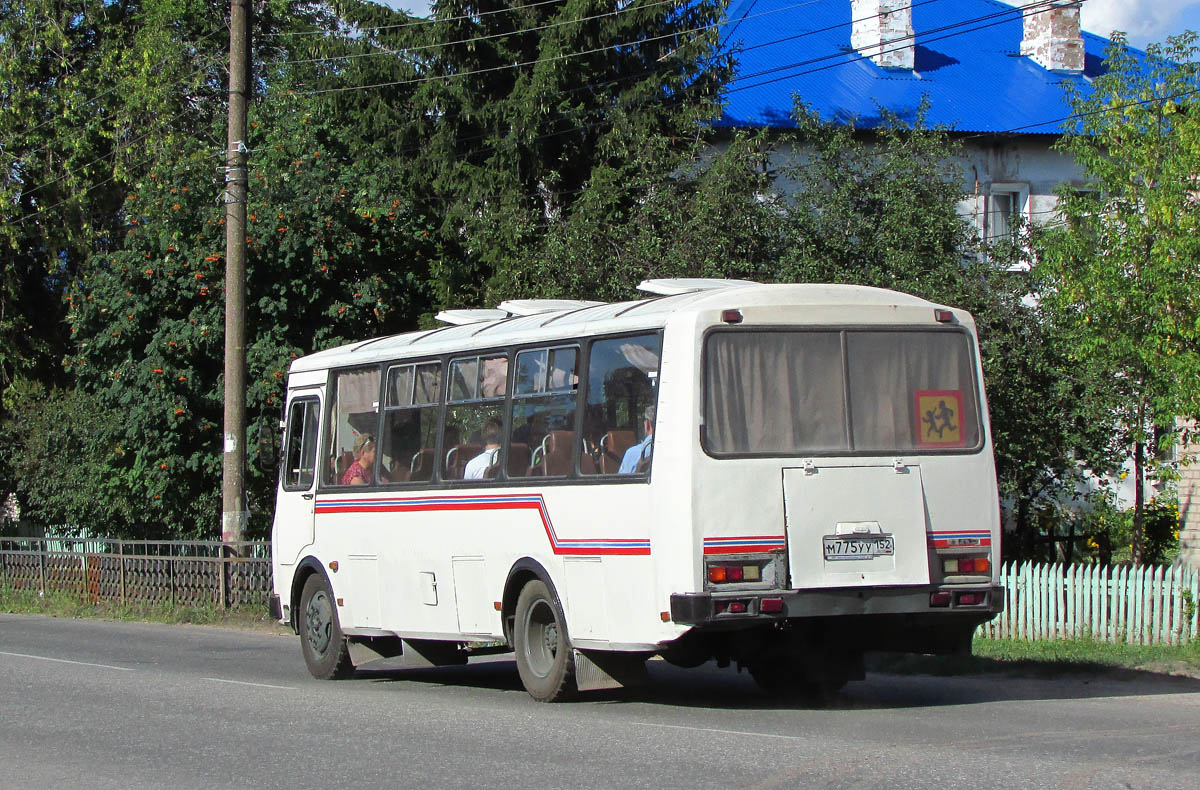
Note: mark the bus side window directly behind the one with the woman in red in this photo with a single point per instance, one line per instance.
(411, 422)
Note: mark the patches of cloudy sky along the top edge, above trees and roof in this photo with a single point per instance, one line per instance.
(1144, 21)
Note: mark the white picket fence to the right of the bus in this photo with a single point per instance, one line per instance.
(1148, 606)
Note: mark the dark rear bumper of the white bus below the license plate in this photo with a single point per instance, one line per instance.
(736, 609)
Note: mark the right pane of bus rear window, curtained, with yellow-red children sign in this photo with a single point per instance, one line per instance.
(911, 391)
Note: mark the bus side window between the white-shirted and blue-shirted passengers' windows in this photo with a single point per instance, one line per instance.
(543, 414)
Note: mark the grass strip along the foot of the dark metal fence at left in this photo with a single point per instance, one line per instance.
(61, 605)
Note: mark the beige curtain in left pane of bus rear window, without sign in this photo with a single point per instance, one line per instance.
(775, 393)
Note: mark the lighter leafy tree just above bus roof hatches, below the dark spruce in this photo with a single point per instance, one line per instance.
(706, 217)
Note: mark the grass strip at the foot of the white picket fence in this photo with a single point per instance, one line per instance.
(1048, 660)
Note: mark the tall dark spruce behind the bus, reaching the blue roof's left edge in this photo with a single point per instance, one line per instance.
(524, 111)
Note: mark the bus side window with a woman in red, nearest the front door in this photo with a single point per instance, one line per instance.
(355, 412)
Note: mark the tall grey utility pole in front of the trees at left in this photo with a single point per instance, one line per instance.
(233, 487)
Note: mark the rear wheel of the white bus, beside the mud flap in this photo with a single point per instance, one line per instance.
(545, 660)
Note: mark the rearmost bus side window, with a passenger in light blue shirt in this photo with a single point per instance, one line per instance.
(622, 385)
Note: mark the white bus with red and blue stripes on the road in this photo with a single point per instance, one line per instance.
(779, 476)
